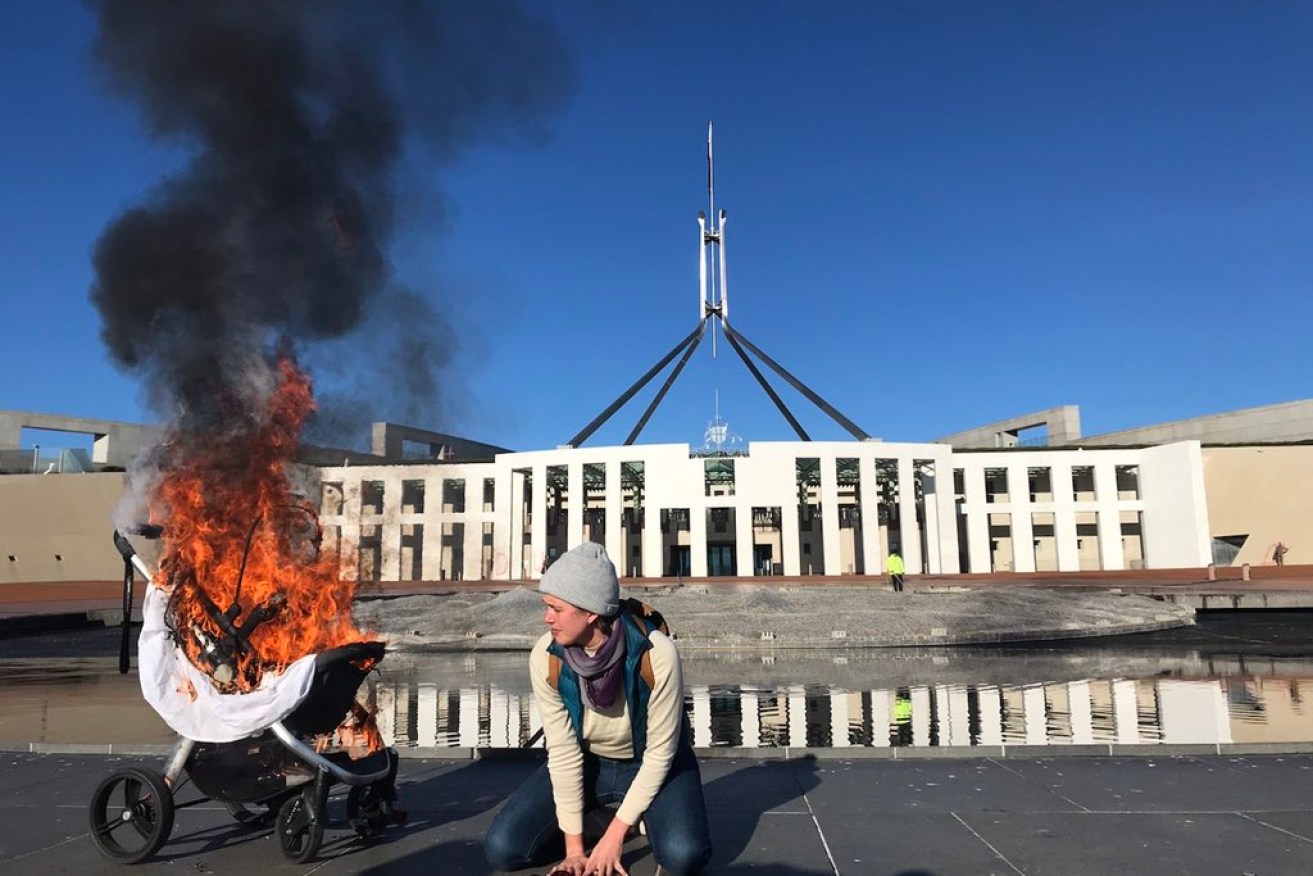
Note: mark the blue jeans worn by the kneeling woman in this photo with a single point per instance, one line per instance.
(526, 833)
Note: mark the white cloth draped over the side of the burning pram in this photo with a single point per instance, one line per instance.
(169, 680)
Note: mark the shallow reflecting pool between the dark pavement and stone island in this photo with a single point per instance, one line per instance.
(1236, 678)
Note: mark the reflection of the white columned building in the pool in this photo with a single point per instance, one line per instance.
(1087, 712)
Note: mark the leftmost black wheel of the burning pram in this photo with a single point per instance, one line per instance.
(132, 815)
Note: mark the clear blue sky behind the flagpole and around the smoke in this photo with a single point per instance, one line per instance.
(941, 215)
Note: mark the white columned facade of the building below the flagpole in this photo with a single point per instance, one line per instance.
(792, 509)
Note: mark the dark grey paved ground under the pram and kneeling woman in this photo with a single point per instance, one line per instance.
(925, 818)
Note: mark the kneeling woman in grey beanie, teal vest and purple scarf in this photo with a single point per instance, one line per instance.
(611, 697)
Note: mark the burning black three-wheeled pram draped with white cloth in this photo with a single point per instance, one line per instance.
(246, 748)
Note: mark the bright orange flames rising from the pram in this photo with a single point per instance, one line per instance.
(237, 535)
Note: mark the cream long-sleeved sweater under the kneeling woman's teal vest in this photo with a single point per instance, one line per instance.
(609, 735)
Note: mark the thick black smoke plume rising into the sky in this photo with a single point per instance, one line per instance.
(297, 116)
